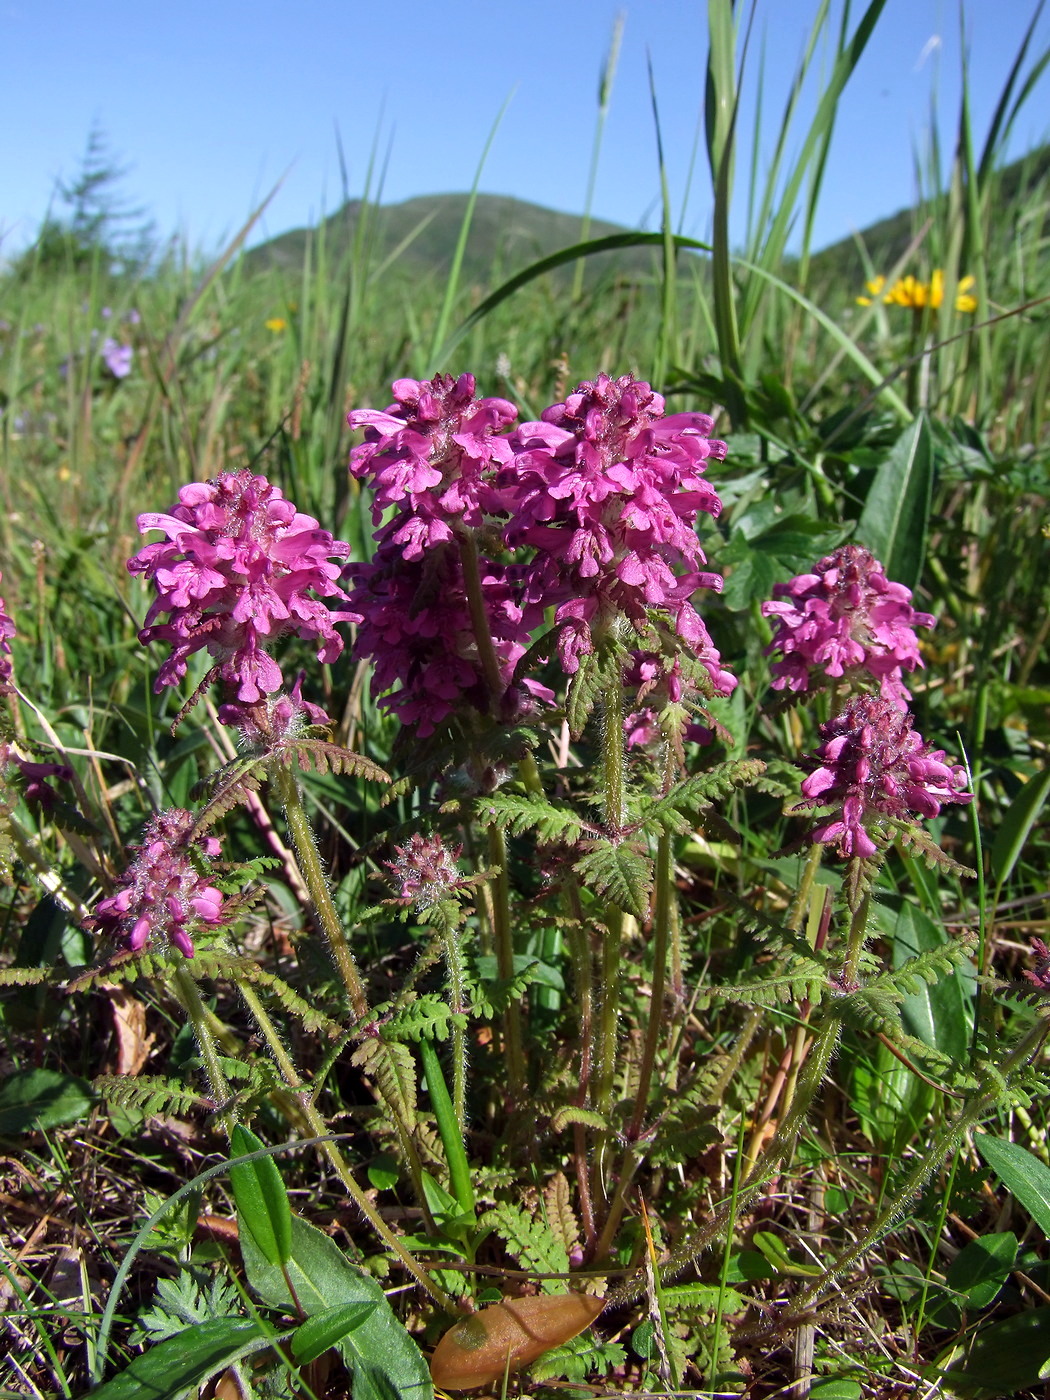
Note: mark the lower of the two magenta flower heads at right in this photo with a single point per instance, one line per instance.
(876, 769)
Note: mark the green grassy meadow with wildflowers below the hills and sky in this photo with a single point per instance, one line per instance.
(652, 961)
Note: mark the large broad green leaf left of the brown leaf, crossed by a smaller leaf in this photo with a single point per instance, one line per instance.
(384, 1360)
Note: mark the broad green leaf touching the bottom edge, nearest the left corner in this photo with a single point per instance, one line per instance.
(176, 1367)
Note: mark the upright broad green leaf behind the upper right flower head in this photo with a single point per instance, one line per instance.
(895, 519)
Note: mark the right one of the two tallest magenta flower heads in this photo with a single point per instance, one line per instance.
(607, 492)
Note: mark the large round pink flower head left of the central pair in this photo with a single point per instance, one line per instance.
(239, 569)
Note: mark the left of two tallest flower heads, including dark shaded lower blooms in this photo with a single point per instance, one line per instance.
(432, 457)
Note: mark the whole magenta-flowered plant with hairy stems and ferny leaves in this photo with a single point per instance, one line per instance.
(534, 621)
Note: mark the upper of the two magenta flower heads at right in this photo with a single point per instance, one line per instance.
(846, 619)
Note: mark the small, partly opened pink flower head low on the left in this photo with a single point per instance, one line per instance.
(163, 892)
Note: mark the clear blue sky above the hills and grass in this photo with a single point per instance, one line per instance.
(211, 104)
